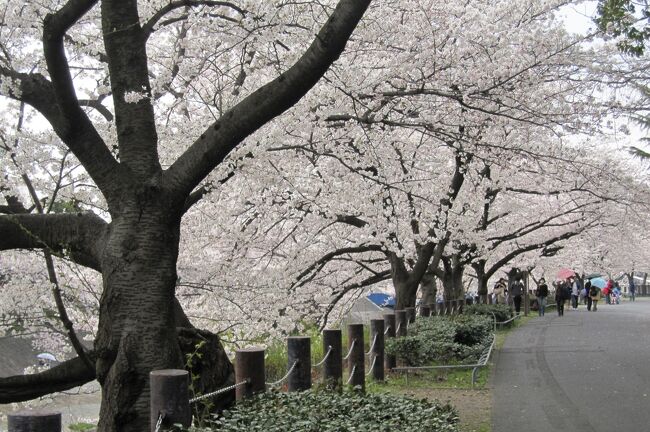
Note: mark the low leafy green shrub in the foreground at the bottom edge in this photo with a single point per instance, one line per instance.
(322, 411)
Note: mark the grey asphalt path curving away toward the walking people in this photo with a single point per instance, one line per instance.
(583, 372)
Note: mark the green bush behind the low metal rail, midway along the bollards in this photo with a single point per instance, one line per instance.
(442, 339)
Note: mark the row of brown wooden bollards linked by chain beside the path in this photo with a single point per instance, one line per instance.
(170, 388)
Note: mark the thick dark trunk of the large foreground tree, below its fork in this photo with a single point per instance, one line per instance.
(137, 328)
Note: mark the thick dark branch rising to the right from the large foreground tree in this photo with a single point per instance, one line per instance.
(267, 102)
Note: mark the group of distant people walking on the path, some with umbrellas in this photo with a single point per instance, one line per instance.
(571, 291)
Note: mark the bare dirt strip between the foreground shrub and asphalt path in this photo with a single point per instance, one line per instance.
(474, 406)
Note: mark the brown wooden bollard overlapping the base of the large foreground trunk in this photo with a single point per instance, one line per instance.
(169, 397)
